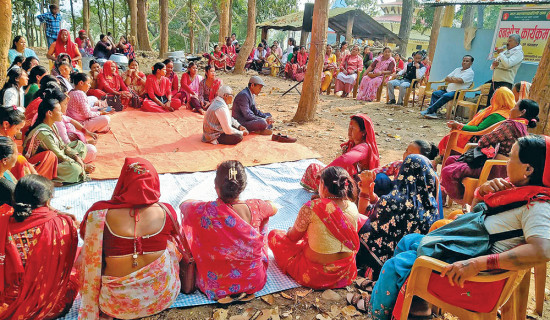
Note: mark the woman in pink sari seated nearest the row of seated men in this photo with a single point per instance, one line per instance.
(382, 65)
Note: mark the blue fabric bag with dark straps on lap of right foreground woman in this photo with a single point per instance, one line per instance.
(466, 237)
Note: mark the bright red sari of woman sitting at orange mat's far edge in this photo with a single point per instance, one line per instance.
(162, 90)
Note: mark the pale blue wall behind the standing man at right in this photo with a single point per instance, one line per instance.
(450, 50)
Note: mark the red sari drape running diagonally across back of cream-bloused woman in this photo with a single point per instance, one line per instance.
(336, 222)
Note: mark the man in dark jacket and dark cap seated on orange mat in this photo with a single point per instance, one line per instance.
(246, 112)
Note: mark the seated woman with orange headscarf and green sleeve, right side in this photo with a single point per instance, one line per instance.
(501, 103)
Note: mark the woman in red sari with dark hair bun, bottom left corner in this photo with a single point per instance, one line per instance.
(39, 244)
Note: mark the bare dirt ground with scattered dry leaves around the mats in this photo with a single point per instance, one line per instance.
(395, 128)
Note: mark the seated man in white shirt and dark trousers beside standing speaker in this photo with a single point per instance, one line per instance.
(459, 79)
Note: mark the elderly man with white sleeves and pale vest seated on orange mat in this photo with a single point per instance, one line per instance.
(218, 125)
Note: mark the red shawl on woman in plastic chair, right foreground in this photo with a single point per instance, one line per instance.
(525, 193)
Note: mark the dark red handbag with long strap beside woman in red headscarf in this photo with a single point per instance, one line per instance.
(188, 266)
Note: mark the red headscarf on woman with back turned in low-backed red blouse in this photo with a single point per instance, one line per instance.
(138, 186)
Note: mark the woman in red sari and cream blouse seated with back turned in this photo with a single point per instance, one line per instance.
(319, 250)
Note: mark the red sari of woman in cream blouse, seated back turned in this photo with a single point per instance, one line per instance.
(291, 259)
